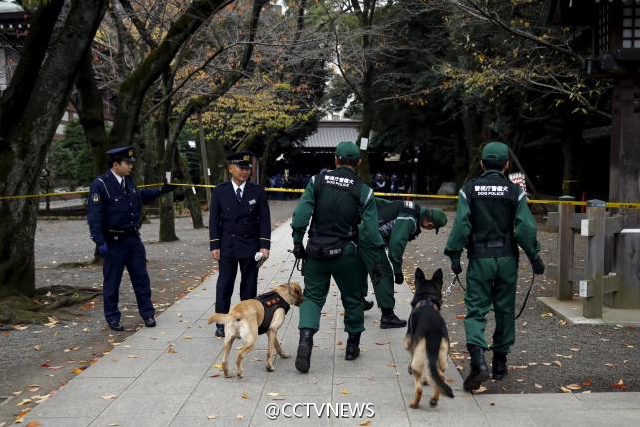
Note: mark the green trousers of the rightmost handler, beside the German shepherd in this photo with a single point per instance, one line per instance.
(491, 281)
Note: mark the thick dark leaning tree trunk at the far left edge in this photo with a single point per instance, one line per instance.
(26, 139)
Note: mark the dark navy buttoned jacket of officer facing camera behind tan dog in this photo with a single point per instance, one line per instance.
(239, 229)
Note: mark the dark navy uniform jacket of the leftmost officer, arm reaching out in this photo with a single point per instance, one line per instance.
(110, 207)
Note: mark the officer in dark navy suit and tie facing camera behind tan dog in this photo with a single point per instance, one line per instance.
(239, 229)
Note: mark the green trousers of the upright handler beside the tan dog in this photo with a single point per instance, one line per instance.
(350, 275)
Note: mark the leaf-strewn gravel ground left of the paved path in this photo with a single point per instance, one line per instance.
(39, 359)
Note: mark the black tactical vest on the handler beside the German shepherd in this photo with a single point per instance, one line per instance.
(493, 200)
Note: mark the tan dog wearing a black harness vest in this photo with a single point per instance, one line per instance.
(250, 318)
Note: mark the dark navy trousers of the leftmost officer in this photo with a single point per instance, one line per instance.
(127, 252)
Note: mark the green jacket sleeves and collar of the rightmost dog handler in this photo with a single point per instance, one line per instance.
(524, 226)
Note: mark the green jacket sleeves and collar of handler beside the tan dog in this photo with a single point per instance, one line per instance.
(368, 229)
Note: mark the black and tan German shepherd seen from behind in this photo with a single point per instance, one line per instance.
(427, 339)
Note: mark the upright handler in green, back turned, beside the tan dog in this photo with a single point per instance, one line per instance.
(336, 202)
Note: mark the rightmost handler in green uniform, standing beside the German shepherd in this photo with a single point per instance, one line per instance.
(492, 219)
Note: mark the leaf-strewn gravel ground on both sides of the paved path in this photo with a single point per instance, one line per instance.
(548, 354)
